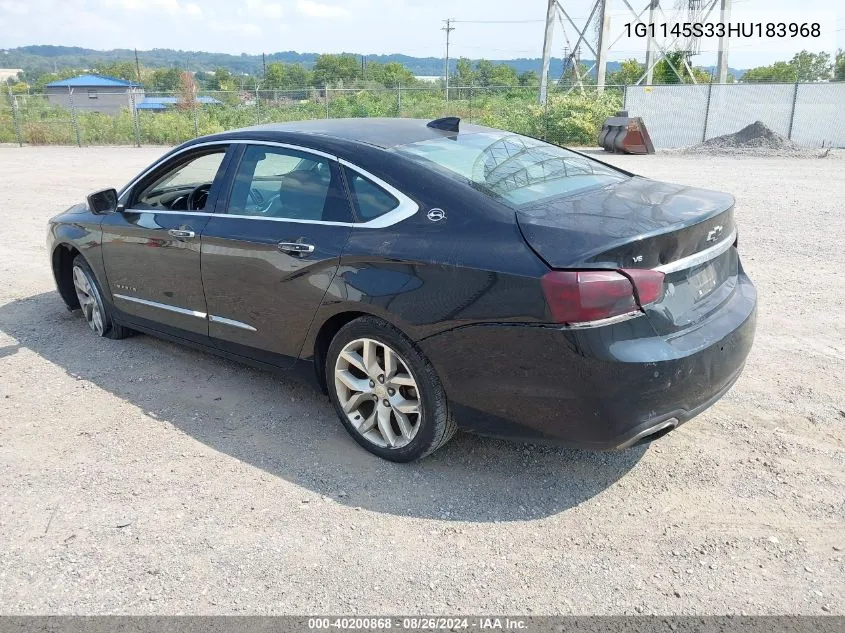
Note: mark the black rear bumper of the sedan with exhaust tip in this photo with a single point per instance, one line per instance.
(600, 388)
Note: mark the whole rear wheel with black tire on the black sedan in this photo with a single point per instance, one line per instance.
(403, 418)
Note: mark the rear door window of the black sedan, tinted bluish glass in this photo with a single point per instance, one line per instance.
(276, 182)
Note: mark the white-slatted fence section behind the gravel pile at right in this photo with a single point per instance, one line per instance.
(811, 114)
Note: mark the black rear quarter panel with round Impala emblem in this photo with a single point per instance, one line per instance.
(428, 276)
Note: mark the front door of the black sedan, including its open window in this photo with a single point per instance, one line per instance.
(151, 246)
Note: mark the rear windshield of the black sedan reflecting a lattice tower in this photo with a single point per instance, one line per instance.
(512, 168)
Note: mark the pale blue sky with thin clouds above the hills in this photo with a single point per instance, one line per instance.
(493, 29)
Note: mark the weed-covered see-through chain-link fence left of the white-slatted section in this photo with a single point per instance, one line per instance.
(161, 118)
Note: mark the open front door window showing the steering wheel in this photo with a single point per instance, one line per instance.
(184, 187)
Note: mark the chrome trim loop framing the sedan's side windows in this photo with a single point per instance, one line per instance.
(405, 210)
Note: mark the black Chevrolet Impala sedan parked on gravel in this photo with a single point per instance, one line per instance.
(435, 275)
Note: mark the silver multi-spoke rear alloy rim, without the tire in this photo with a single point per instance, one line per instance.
(378, 393)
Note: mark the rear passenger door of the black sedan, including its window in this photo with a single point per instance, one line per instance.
(272, 249)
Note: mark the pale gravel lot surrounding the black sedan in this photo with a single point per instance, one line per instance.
(141, 477)
